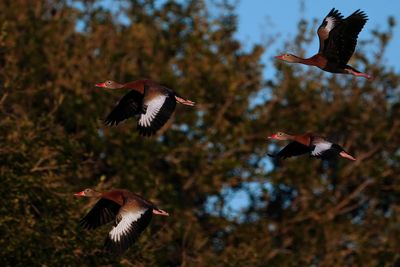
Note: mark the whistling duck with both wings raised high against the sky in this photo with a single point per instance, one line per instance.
(337, 42)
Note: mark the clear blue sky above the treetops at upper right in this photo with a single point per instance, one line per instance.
(260, 18)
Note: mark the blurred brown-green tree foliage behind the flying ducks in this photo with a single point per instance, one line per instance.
(300, 212)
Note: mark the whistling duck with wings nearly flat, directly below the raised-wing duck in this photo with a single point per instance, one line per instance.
(312, 144)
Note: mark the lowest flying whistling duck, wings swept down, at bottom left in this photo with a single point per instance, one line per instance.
(130, 212)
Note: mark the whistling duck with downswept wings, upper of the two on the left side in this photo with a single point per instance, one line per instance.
(153, 102)
